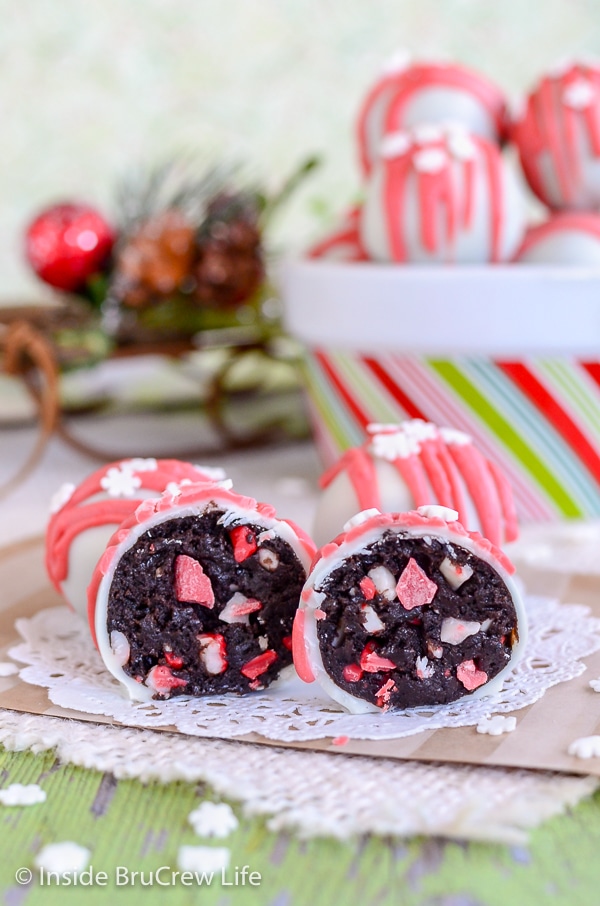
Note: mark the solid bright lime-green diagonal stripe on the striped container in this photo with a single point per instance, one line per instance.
(506, 433)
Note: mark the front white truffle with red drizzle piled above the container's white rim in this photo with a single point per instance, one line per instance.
(452, 199)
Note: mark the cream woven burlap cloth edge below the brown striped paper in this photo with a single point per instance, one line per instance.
(313, 793)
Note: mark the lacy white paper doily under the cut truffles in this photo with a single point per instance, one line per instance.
(60, 657)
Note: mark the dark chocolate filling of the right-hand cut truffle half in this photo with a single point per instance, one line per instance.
(394, 657)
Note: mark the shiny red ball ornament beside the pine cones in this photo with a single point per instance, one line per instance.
(67, 243)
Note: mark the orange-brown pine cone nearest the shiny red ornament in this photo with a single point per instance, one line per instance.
(154, 262)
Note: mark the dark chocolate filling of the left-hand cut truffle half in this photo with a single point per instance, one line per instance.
(194, 651)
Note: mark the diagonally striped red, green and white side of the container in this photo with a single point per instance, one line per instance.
(538, 417)
